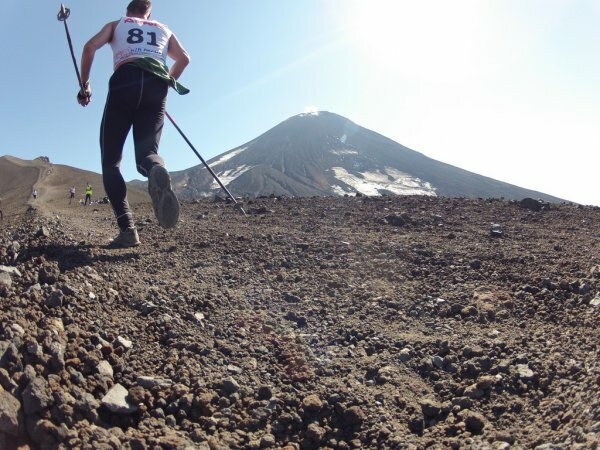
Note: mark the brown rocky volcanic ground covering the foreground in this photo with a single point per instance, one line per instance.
(383, 323)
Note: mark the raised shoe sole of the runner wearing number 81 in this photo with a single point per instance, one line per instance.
(164, 201)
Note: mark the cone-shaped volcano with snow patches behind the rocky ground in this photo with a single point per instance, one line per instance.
(324, 154)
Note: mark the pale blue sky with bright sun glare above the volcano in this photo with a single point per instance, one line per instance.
(508, 89)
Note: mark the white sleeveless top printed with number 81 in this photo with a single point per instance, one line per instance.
(139, 38)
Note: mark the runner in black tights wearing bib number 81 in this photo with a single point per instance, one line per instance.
(137, 95)
